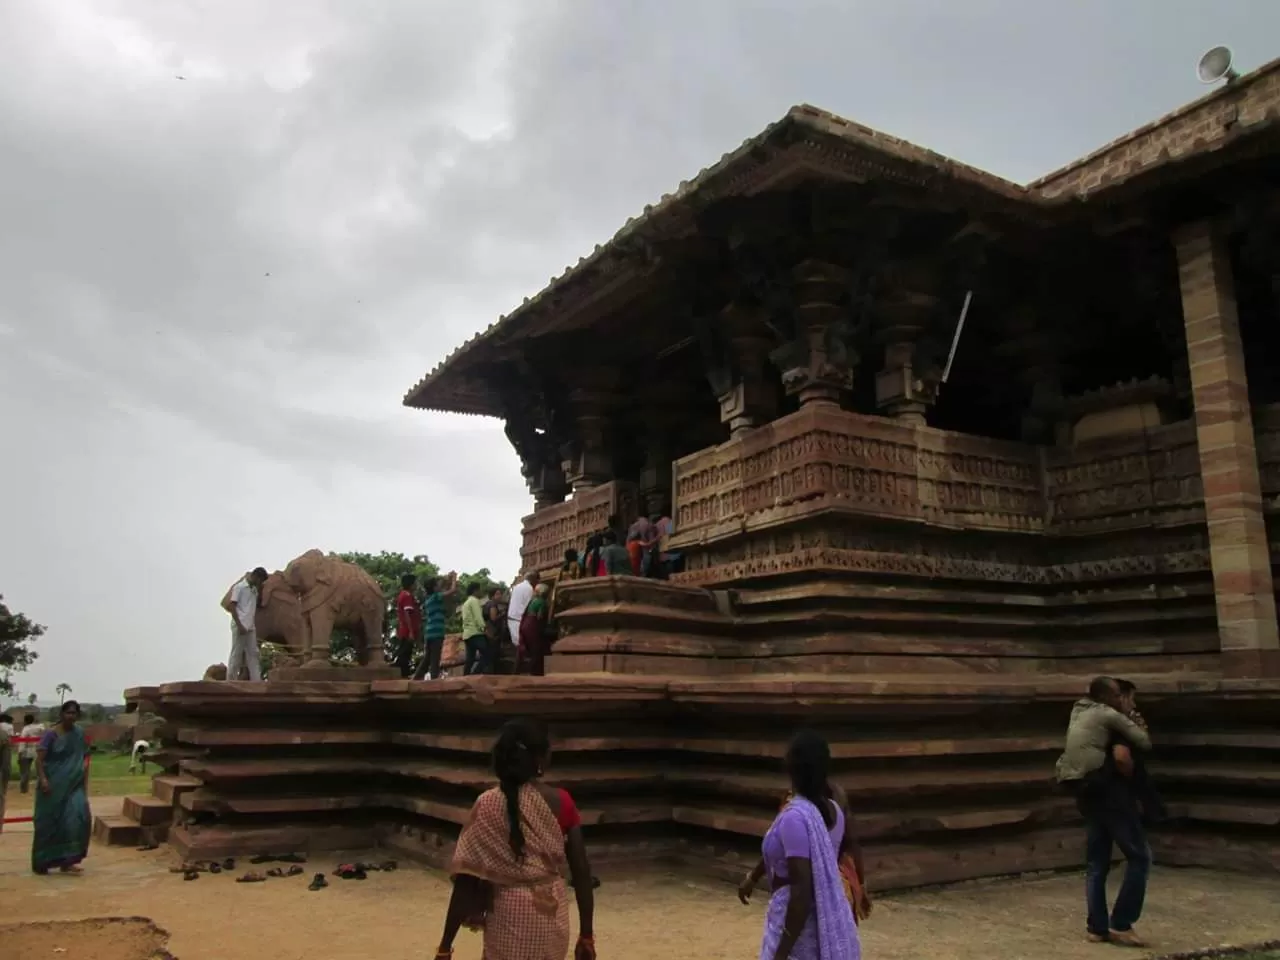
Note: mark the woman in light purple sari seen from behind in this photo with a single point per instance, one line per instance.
(810, 917)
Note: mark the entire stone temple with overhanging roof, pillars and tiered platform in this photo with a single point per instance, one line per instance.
(929, 569)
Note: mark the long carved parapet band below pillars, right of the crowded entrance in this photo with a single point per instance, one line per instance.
(829, 460)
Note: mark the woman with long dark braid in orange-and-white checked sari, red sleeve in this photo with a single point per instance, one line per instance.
(510, 861)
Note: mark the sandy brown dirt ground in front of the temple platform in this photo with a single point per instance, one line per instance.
(647, 917)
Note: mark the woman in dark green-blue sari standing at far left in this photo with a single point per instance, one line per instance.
(62, 806)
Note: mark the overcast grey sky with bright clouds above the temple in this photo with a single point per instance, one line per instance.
(235, 232)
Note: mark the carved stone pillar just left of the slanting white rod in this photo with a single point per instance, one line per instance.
(908, 385)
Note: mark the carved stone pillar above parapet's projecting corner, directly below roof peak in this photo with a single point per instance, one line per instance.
(819, 365)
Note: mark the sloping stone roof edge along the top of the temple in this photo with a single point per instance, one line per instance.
(822, 141)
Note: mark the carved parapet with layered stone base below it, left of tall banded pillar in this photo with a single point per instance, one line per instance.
(858, 545)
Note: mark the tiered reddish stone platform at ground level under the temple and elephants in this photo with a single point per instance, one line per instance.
(952, 776)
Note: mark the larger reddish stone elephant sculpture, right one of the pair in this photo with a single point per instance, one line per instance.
(333, 593)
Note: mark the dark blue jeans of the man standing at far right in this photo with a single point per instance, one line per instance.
(1108, 828)
